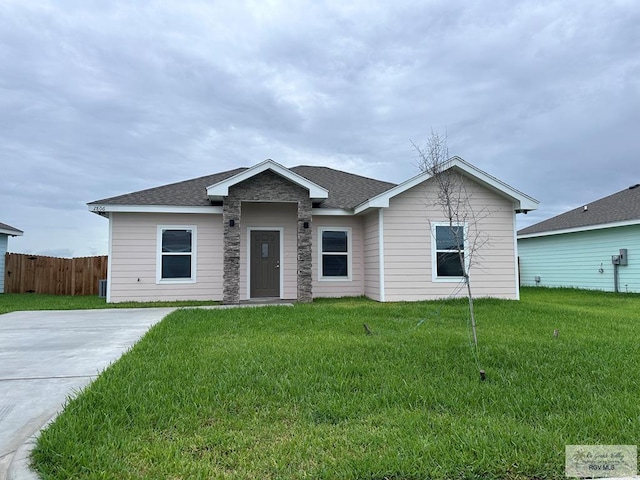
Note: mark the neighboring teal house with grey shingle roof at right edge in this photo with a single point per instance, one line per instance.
(595, 246)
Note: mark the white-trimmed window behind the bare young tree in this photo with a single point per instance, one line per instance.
(447, 241)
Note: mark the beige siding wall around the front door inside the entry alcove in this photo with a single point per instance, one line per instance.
(276, 216)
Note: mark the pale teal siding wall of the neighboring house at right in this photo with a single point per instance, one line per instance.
(575, 259)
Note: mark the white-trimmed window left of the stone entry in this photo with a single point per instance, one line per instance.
(176, 258)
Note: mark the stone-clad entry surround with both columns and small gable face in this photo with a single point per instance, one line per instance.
(265, 187)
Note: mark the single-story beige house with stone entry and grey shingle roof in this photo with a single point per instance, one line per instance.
(300, 233)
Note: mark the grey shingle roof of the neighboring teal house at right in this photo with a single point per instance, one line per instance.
(619, 207)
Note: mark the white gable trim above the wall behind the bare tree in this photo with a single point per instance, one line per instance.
(522, 202)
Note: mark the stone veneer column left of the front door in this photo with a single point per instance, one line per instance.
(231, 273)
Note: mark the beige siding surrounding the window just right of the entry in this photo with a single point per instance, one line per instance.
(340, 288)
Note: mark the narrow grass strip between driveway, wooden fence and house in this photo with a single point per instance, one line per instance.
(12, 302)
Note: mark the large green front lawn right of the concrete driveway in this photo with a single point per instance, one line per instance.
(302, 392)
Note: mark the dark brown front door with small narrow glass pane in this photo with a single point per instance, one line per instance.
(265, 263)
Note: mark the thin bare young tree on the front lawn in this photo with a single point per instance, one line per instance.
(452, 197)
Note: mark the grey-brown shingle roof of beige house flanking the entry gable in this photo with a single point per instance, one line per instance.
(346, 190)
